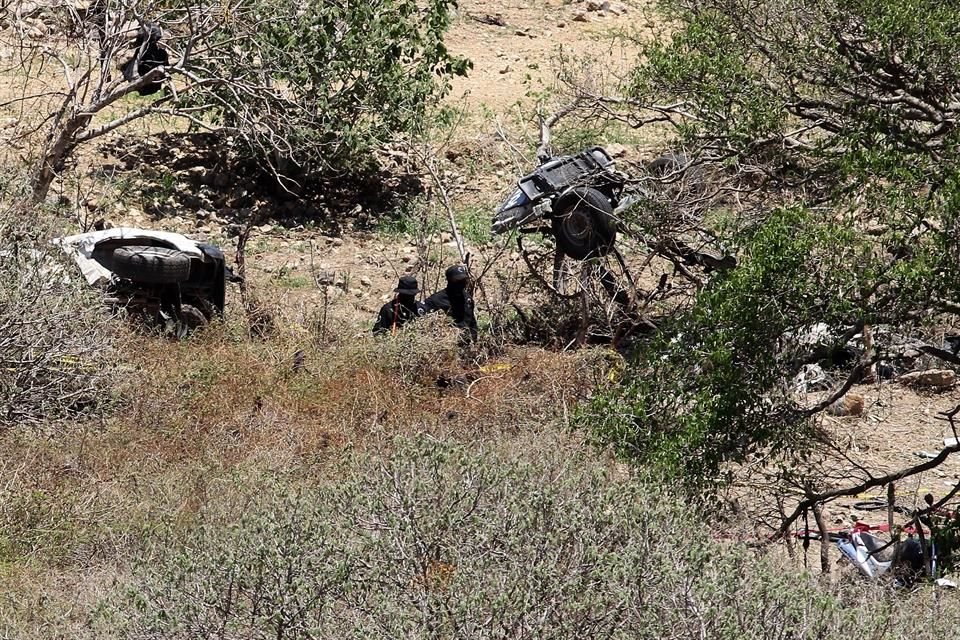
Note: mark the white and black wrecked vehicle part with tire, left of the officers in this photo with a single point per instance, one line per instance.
(173, 282)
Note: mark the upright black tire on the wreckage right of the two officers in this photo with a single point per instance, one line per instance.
(583, 224)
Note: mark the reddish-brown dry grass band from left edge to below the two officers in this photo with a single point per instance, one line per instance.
(78, 498)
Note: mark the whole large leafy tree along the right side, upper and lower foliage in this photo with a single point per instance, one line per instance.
(829, 128)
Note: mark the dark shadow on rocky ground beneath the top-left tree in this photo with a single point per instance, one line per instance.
(209, 175)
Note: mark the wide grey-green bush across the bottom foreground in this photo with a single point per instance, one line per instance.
(438, 540)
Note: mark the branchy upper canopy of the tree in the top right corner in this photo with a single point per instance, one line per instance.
(862, 85)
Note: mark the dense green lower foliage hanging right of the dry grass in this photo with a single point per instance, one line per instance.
(713, 387)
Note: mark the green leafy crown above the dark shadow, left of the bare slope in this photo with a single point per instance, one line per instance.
(353, 75)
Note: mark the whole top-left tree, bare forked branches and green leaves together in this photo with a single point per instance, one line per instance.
(301, 85)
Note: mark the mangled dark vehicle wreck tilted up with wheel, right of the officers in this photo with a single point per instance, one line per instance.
(577, 195)
